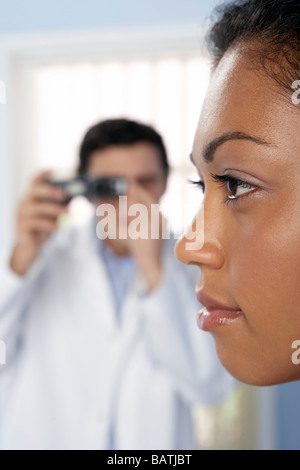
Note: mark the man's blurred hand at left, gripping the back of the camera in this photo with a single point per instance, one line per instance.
(36, 221)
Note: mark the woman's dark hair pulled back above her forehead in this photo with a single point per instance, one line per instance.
(273, 24)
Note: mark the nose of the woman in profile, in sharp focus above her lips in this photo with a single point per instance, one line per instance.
(200, 245)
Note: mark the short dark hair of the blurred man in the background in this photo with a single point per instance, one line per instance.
(119, 132)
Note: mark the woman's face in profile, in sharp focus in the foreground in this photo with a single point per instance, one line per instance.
(247, 153)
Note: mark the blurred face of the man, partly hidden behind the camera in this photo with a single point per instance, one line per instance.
(139, 164)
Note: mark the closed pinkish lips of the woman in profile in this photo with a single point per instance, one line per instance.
(214, 314)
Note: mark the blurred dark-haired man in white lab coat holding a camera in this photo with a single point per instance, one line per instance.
(102, 346)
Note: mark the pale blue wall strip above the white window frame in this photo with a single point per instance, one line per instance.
(36, 15)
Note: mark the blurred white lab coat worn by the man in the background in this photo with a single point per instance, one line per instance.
(74, 372)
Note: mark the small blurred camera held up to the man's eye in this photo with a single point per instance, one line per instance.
(96, 188)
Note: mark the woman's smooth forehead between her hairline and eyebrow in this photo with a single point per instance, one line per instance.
(242, 98)
